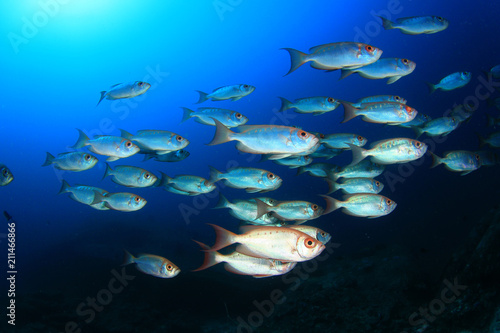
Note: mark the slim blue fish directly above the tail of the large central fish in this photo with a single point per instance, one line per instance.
(206, 116)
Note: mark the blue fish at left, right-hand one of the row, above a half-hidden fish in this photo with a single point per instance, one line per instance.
(161, 142)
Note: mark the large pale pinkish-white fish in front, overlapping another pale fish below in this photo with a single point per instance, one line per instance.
(278, 243)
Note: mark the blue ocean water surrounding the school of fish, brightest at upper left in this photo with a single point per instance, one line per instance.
(53, 73)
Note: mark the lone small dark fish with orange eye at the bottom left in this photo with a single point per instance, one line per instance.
(152, 265)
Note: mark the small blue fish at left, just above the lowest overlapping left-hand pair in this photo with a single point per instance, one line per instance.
(130, 176)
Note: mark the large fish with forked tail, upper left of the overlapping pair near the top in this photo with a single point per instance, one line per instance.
(335, 56)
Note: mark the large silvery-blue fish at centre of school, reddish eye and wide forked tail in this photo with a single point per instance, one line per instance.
(280, 141)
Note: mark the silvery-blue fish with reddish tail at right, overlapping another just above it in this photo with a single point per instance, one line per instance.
(381, 112)
